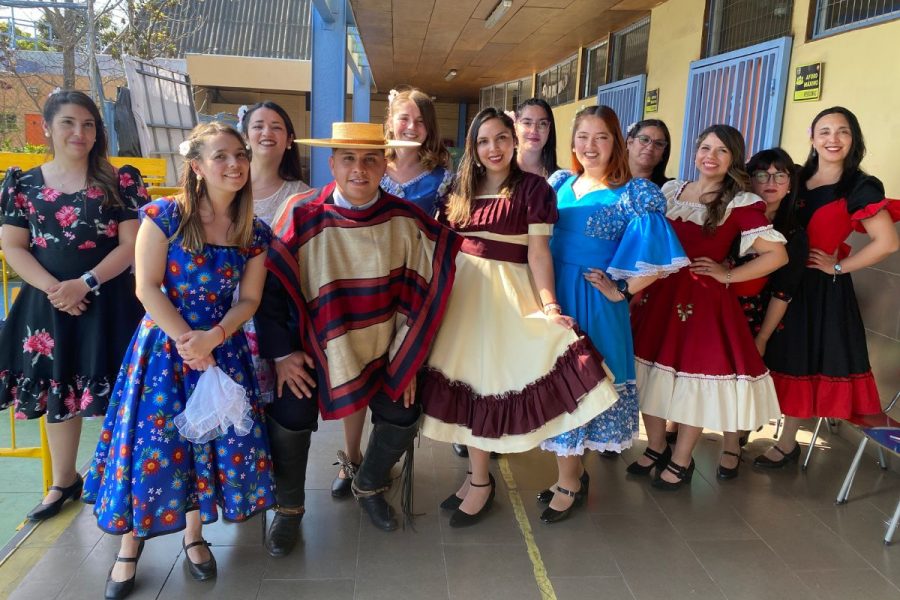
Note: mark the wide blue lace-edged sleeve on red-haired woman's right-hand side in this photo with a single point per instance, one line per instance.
(649, 245)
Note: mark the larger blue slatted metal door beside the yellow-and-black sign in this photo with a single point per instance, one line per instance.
(745, 89)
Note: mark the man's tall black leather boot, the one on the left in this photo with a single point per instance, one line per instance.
(290, 450)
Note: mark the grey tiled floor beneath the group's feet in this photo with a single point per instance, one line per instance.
(765, 535)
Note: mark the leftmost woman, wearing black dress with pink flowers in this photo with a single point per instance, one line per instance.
(69, 230)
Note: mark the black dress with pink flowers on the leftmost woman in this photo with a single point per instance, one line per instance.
(51, 362)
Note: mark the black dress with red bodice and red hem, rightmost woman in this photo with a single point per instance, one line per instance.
(819, 360)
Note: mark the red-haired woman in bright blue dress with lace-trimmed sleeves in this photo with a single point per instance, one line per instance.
(611, 241)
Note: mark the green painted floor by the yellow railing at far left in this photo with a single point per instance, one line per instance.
(20, 478)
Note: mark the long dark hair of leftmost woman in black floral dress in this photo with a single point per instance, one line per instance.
(100, 174)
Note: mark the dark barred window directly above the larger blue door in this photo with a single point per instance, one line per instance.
(735, 24)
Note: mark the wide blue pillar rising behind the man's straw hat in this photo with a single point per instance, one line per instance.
(329, 79)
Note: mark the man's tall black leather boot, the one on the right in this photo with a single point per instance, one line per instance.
(387, 443)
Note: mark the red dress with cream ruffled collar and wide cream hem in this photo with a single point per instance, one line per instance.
(695, 357)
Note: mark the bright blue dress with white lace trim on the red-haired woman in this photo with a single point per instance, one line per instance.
(624, 232)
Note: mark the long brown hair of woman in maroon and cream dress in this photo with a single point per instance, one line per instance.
(471, 172)
